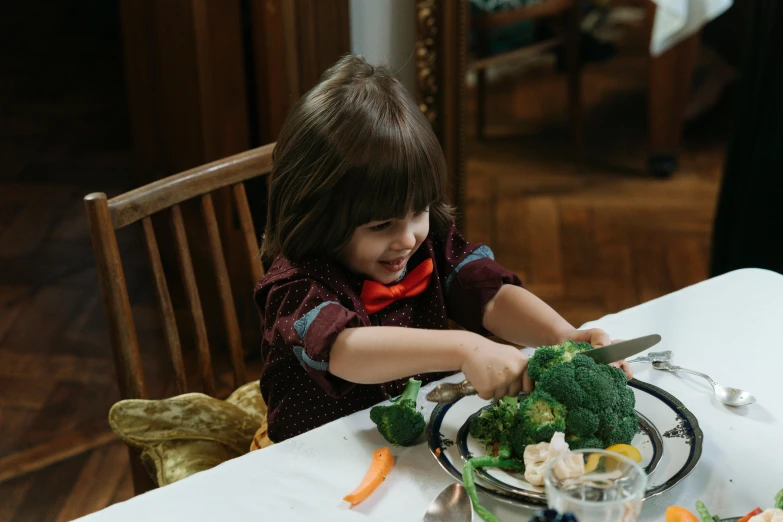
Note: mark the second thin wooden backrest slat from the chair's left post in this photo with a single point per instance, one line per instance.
(194, 302)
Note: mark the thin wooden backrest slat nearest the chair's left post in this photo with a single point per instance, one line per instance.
(168, 320)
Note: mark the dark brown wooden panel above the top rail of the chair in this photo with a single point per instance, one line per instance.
(186, 83)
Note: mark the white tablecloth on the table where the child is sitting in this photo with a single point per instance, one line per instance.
(727, 327)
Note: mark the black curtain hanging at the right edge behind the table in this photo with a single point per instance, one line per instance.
(748, 229)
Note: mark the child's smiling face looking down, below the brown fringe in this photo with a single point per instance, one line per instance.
(379, 250)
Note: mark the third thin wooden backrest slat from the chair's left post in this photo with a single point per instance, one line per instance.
(230, 321)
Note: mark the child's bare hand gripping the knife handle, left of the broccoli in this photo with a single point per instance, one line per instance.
(495, 370)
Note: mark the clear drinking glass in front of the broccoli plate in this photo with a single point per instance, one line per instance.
(611, 490)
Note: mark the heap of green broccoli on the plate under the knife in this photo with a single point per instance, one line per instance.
(591, 403)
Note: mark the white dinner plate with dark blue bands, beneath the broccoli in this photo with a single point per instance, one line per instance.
(670, 442)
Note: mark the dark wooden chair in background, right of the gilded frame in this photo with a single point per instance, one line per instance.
(569, 11)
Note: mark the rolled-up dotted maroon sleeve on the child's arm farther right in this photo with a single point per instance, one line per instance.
(472, 277)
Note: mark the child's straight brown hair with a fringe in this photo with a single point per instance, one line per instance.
(355, 148)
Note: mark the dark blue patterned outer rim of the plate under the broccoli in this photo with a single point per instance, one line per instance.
(434, 444)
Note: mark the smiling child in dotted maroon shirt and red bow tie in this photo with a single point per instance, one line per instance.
(367, 267)
